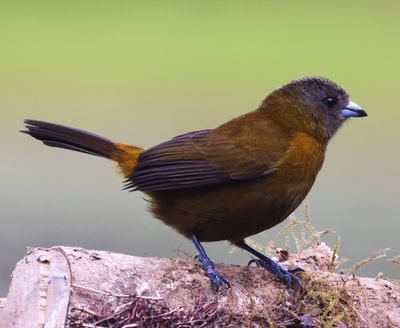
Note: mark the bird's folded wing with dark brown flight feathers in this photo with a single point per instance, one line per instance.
(194, 159)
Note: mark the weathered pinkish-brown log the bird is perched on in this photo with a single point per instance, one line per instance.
(75, 287)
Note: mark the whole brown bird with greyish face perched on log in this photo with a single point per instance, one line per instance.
(233, 181)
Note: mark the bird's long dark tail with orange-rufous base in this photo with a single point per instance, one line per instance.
(56, 135)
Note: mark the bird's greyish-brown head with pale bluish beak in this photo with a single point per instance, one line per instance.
(312, 104)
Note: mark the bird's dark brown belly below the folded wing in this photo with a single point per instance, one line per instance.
(232, 211)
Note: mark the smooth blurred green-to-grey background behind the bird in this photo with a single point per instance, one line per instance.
(144, 71)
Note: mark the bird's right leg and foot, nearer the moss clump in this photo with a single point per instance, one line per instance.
(272, 266)
